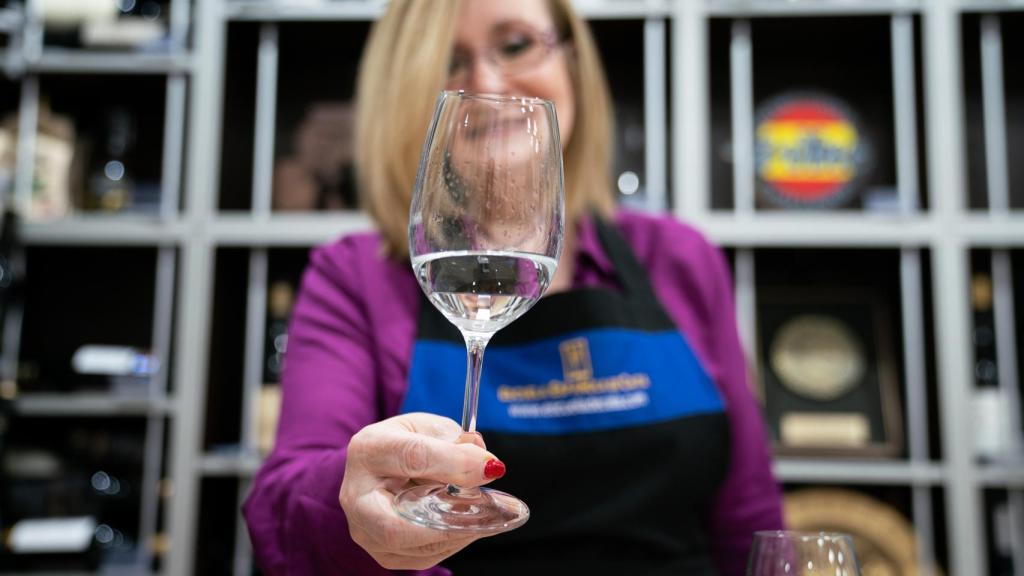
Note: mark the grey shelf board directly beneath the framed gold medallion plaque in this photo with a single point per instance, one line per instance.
(858, 472)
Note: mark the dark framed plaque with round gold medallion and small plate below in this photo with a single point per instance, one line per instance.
(827, 373)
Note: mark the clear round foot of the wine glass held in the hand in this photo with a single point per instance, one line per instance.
(482, 511)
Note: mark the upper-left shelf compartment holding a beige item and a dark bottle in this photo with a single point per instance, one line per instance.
(101, 143)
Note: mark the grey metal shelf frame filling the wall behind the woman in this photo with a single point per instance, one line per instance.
(189, 229)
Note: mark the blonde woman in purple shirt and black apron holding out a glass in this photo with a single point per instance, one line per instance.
(679, 496)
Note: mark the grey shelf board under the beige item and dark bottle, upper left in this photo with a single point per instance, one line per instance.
(105, 230)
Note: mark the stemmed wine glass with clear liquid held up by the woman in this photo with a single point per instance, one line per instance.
(485, 236)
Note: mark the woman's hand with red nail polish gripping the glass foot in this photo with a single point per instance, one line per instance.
(385, 459)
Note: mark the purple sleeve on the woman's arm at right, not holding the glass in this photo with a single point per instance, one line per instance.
(693, 280)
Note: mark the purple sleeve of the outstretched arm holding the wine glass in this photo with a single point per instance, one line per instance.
(295, 520)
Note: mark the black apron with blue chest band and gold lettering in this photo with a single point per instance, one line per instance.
(613, 432)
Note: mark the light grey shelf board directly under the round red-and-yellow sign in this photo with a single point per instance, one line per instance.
(818, 229)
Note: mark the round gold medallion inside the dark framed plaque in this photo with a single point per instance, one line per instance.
(818, 357)
